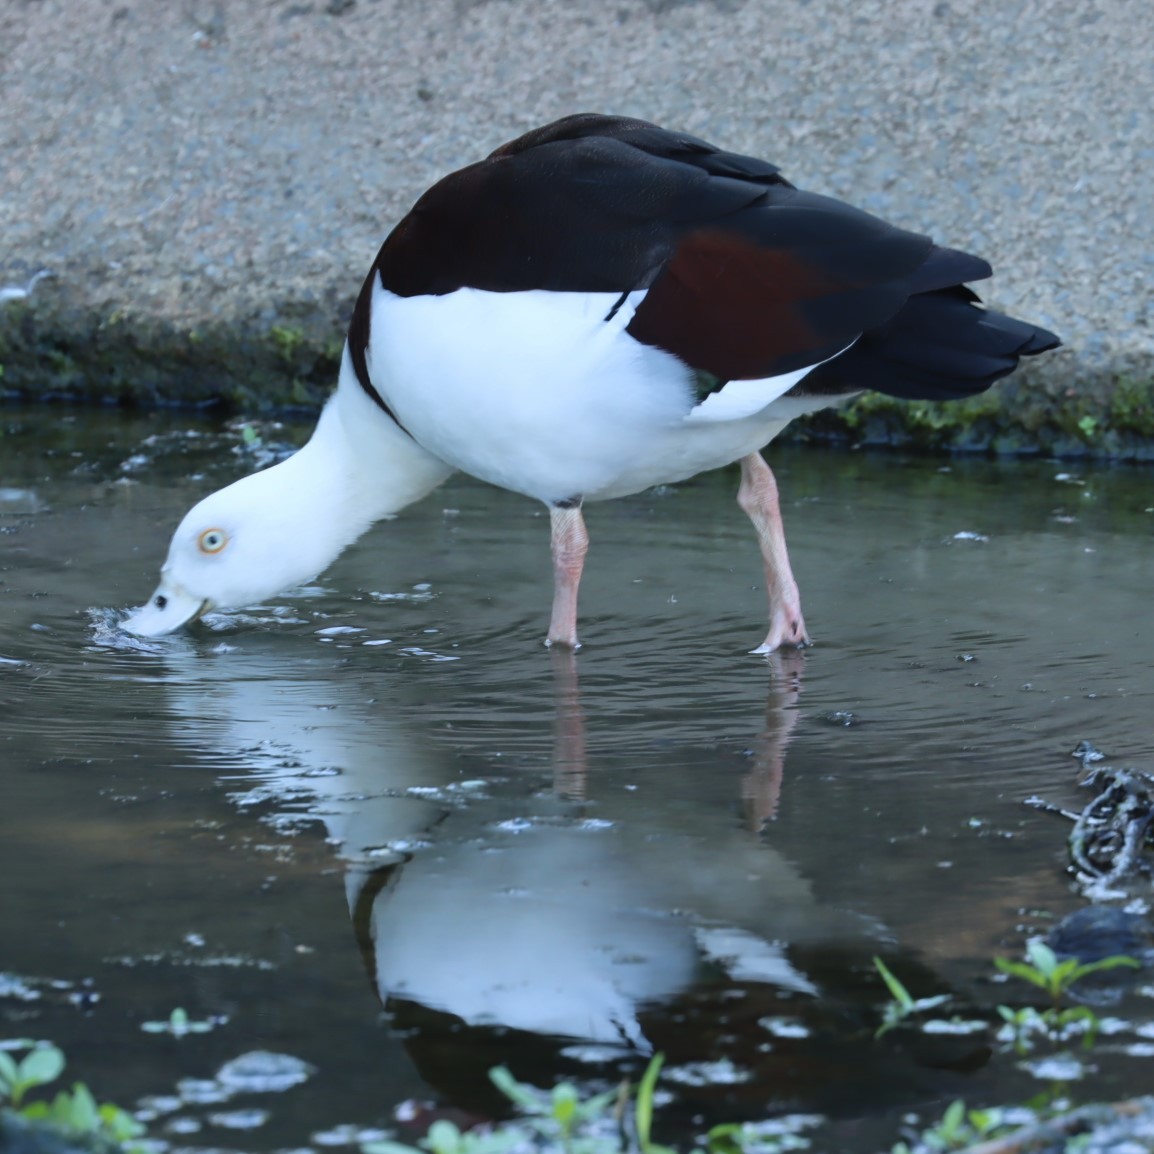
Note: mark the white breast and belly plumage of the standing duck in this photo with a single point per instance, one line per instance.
(538, 393)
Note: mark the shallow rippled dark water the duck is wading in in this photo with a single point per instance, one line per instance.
(423, 845)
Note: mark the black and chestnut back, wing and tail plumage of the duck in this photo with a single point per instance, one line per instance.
(747, 276)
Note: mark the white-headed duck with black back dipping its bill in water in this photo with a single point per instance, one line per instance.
(597, 308)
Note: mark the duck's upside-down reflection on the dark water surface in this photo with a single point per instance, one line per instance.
(583, 911)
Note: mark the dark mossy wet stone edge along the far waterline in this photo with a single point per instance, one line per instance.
(78, 356)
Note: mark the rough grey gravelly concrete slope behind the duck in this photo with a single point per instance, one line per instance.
(238, 162)
